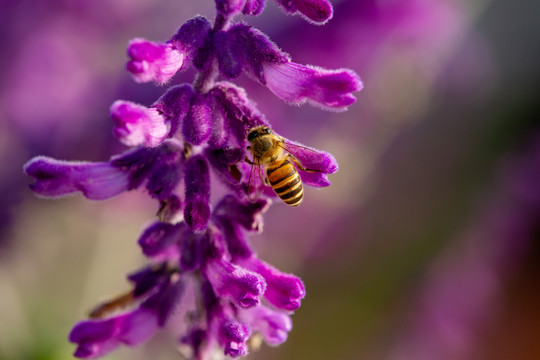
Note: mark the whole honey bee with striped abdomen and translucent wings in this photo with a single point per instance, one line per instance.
(272, 157)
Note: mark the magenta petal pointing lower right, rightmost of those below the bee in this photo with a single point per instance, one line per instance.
(284, 291)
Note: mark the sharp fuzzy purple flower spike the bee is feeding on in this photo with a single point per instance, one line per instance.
(197, 250)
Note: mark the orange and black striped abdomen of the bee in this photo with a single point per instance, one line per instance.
(286, 182)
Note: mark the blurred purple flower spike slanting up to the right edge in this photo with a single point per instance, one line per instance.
(460, 292)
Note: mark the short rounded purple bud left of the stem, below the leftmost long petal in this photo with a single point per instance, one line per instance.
(159, 240)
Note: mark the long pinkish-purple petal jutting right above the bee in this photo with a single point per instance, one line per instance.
(295, 83)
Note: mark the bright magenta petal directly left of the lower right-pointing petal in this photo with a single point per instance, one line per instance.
(235, 283)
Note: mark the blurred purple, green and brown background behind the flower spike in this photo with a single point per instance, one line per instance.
(426, 245)
